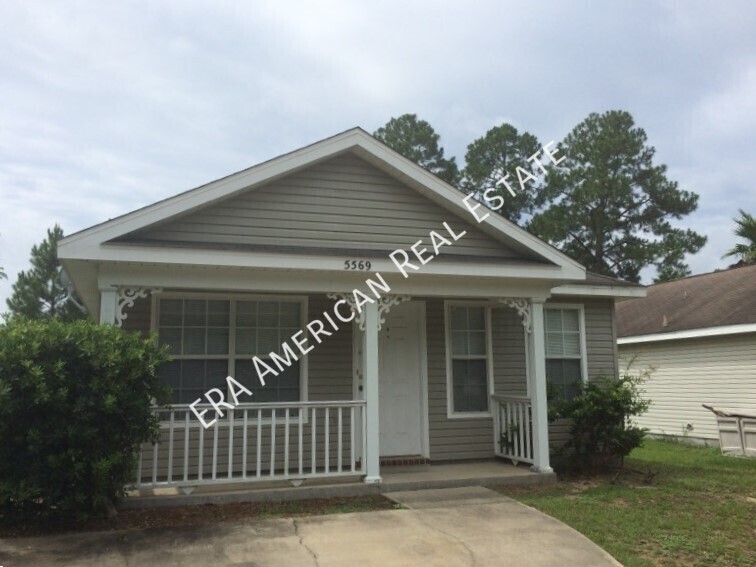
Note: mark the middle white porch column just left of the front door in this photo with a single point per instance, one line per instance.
(370, 384)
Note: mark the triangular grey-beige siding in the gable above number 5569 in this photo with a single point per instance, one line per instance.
(343, 203)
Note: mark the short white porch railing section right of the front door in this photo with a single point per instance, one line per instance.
(513, 428)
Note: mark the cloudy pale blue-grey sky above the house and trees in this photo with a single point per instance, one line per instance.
(106, 107)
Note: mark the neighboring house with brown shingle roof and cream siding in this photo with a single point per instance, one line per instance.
(698, 334)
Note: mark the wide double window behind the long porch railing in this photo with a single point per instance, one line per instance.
(210, 339)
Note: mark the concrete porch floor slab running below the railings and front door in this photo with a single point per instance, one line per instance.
(418, 477)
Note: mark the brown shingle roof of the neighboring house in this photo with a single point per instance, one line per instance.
(714, 300)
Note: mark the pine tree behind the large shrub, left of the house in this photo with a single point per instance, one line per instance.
(40, 293)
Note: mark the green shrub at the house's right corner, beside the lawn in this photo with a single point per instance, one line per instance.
(601, 428)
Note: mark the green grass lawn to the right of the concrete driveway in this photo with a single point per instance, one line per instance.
(700, 508)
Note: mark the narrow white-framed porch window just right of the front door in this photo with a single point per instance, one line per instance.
(469, 377)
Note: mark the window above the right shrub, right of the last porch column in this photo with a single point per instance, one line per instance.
(564, 350)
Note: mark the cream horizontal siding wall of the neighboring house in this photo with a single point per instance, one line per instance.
(717, 371)
